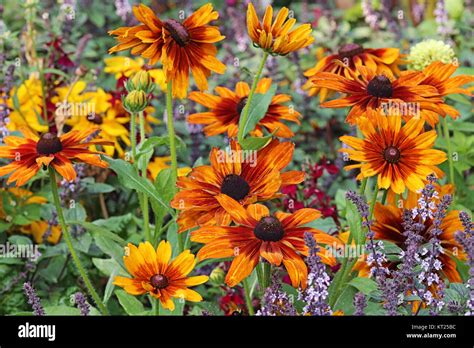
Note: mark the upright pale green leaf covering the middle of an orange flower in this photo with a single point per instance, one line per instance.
(257, 110)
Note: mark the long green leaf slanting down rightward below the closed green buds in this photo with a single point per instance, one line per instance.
(128, 177)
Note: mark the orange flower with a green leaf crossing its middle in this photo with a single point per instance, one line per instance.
(225, 110)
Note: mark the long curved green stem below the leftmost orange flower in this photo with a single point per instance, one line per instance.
(67, 238)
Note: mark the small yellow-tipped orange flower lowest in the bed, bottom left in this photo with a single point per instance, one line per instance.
(153, 272)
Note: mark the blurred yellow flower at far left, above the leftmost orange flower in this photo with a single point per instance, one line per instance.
(26, 103)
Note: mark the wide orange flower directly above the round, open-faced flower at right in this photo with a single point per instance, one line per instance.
(371, 94)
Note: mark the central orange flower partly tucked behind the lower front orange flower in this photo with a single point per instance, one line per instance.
(246, 177)
